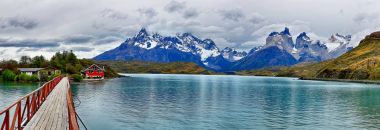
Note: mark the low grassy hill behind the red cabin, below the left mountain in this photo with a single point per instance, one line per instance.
(150, 67)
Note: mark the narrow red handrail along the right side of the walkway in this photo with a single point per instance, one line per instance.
(73, 122)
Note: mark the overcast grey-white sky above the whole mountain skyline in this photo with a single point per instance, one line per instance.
(89, 27)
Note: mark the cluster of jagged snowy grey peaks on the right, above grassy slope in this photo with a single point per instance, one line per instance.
(307, 49)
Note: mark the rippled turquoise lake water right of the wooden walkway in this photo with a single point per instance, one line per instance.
(157, 101)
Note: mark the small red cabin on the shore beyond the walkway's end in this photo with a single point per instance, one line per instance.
(93, 72)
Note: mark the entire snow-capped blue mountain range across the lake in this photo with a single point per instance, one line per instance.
(279, 50)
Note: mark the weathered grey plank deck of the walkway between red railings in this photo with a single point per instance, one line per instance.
(53, 113)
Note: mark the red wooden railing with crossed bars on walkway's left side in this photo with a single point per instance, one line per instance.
(25, 107)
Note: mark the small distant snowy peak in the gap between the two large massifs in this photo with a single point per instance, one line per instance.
(231, 54)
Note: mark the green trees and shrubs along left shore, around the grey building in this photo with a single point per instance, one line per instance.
(38, 68)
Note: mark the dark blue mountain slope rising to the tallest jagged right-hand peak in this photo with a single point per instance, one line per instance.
(279, 50)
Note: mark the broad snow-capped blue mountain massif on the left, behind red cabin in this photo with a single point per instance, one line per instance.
(156, 48)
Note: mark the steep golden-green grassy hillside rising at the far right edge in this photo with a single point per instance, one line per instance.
(360, 63)
